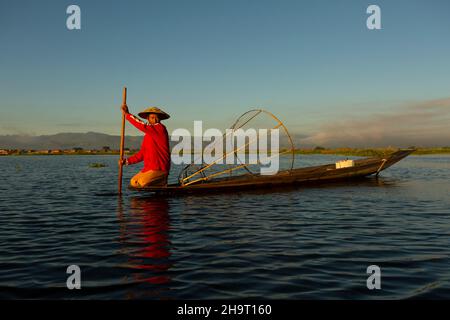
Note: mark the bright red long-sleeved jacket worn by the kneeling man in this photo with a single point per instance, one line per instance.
(155, 151)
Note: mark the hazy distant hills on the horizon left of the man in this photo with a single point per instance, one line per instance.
(89, 140)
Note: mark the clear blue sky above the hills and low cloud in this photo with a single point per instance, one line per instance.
(309, 62)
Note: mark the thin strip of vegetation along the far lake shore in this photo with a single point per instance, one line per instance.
(360, 152)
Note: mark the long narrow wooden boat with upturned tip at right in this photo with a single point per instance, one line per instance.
(301, 176)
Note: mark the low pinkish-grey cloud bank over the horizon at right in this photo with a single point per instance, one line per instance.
(425, 123)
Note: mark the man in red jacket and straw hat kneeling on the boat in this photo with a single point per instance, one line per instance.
(155, 151)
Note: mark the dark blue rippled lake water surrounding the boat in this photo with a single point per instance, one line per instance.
(301, 243)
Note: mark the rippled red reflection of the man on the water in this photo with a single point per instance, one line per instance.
(144, 236)
